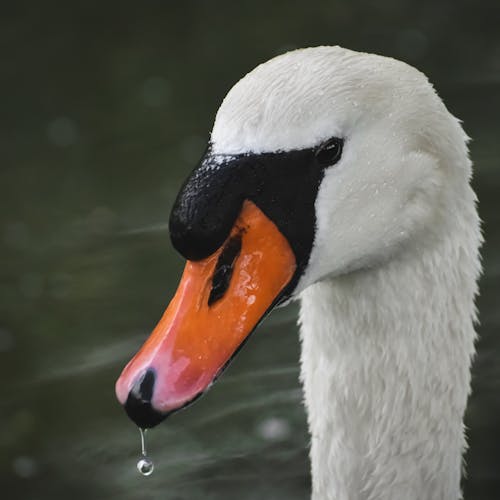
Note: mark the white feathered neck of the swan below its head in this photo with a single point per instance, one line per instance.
(385, 366)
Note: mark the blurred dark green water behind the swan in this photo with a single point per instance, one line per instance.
(106, 106)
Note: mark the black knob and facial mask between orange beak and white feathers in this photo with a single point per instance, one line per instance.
(283, 185)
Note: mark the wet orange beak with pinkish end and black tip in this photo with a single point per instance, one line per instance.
(219, 302)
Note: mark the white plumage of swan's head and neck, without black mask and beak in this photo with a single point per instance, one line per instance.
(387, 300)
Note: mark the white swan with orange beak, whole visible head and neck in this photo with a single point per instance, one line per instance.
(339, 179)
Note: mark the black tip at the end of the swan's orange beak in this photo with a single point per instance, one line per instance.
(138, 405)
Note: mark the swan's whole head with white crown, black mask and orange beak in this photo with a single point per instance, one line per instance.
(321, 162)
